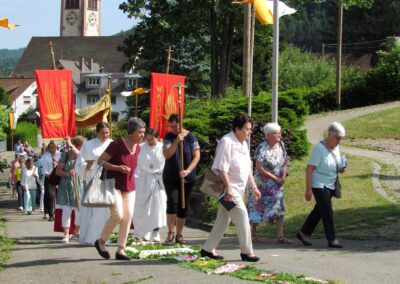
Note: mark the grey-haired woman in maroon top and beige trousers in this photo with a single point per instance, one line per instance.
(120, 160)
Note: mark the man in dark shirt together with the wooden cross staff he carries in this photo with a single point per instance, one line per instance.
(182, 154)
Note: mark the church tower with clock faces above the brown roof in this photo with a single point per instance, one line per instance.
(80, 18)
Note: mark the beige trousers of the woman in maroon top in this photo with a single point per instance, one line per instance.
(120, 213)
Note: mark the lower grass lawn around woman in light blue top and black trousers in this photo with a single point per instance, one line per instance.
(360, 214)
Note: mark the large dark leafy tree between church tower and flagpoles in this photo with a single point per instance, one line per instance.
(206, 36)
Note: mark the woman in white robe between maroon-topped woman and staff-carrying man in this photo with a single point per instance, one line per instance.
(151, 199)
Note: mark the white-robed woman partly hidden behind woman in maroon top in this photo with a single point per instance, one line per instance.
(92, 220)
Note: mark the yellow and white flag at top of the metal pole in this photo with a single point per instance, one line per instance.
(264, 10)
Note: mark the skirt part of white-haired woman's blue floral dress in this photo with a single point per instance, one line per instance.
(270, 206)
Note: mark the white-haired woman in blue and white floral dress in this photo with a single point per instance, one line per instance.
(271, 169)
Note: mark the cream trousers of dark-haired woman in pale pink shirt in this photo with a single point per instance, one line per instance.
(239, 217)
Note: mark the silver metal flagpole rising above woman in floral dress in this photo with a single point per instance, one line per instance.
(275, 63)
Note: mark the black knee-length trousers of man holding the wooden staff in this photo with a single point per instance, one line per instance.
(174, 197)
